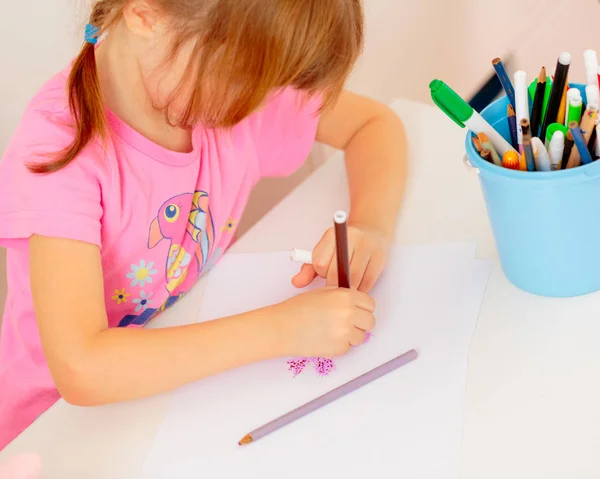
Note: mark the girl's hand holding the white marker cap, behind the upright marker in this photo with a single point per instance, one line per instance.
(368, 251)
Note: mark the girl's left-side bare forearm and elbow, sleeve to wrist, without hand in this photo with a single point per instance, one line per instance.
(92, 364)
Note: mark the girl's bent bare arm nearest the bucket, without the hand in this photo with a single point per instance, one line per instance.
(373, 138)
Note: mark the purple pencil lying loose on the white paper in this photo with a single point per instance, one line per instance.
(330, 397)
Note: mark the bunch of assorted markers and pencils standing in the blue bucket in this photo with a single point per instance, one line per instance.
(551, 128)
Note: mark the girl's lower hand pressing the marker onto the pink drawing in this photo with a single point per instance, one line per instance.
(324, 323)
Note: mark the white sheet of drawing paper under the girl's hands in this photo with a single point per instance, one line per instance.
(408, 422)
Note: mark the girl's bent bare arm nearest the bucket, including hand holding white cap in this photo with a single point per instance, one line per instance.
(373, 138)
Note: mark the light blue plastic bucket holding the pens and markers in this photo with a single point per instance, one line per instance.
(546, 225)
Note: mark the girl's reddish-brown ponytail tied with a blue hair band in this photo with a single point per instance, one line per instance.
(85, 98)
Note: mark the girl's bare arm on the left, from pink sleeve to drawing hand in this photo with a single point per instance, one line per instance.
(92, 364)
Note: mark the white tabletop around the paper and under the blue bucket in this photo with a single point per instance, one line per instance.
(533, 391)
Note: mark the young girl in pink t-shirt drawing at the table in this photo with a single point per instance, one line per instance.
(127, 176)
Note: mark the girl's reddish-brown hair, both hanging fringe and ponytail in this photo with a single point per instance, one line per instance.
(243, 49)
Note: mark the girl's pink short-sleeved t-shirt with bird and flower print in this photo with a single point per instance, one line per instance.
(161, 218)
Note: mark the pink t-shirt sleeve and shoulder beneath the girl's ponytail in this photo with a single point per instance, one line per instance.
(65, 203)
